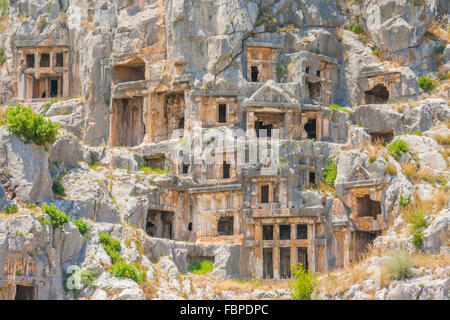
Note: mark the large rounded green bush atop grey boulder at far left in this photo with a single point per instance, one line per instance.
(33, 127)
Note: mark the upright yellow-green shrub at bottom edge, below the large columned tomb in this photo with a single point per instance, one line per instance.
(303, 283)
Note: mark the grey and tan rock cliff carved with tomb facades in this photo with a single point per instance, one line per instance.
(131, 82)
